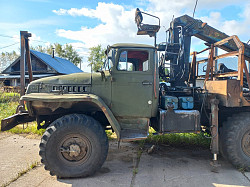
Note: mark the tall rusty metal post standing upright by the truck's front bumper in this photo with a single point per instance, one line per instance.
(24, 38)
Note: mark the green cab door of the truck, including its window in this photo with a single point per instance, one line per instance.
(132, 83)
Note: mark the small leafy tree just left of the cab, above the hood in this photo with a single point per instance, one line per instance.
(96, 57)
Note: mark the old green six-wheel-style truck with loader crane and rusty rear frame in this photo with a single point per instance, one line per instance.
(126, 95)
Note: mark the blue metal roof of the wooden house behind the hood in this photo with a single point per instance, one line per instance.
(61, 65)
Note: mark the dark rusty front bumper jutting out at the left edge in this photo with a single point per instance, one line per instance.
(14, 120)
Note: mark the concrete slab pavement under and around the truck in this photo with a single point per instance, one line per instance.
(166, 166)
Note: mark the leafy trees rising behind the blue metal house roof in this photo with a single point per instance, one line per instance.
(67, 52)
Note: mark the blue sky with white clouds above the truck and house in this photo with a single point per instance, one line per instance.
(88, 23)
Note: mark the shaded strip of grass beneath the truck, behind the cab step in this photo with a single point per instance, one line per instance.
(179, 139)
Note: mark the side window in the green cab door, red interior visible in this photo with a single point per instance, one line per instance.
(133, 60)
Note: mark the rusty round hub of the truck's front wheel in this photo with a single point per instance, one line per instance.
(75, 149)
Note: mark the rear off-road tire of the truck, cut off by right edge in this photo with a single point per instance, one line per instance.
(236, 139)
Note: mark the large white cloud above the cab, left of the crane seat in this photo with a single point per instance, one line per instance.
(117, 25)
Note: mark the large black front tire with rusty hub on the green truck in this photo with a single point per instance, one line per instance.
(74, 145)
